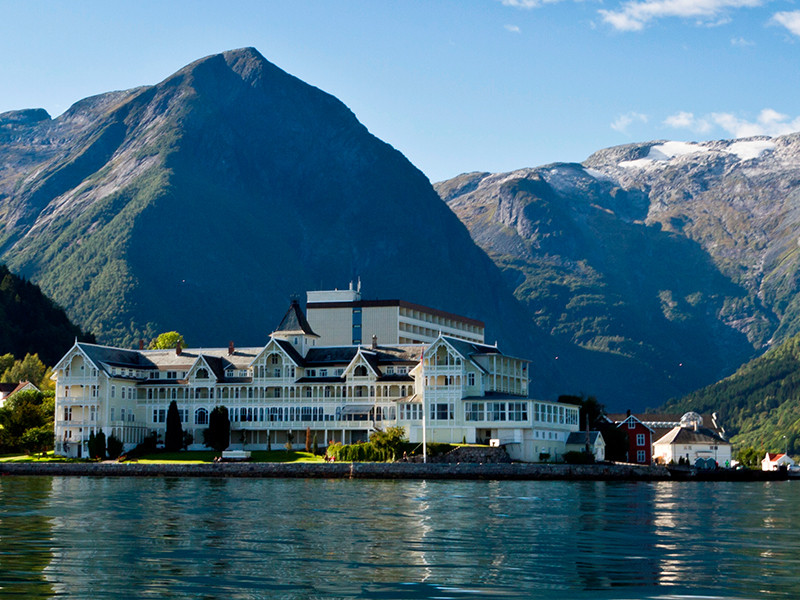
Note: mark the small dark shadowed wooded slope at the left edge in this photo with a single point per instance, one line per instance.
(30, 323)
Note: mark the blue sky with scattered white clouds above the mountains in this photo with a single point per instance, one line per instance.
(457, 86)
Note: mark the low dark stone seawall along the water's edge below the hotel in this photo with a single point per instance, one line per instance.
(440, 471)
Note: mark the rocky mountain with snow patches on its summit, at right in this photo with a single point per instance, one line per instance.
(675, 261)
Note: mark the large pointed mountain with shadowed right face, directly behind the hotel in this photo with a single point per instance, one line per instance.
(200, 204)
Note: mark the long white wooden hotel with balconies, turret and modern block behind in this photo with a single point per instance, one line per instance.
(433, 372)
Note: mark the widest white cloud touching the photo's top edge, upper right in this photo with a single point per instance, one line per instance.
(633, 16)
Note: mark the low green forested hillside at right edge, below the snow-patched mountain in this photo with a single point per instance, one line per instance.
(759, 404)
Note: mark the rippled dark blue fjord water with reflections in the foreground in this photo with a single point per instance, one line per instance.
(279, 538)
